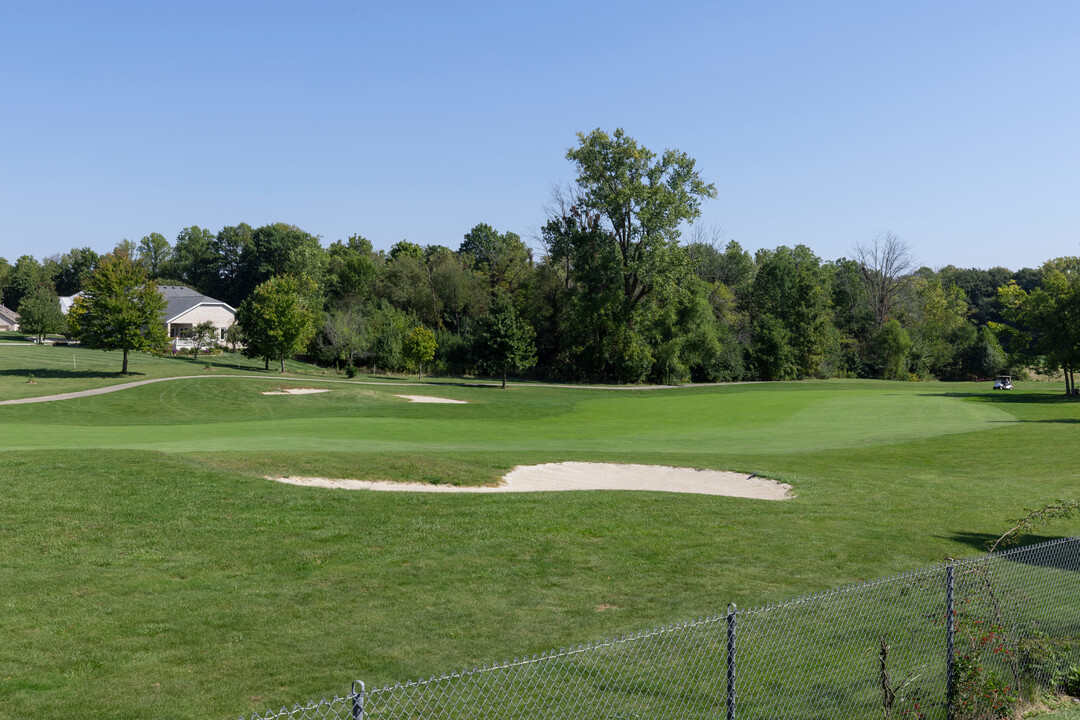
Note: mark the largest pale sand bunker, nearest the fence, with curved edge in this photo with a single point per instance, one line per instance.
(563, 477)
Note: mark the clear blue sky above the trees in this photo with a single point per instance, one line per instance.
(953, 125)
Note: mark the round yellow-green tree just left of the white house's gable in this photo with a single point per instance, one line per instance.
(120, 309)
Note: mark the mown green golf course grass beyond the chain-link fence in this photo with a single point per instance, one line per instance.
(150, 570)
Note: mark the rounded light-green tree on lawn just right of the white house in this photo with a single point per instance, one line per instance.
(277, 319)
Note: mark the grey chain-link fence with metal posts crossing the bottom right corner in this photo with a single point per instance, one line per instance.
(963, 640)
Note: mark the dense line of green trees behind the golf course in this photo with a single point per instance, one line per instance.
(620, 293)
